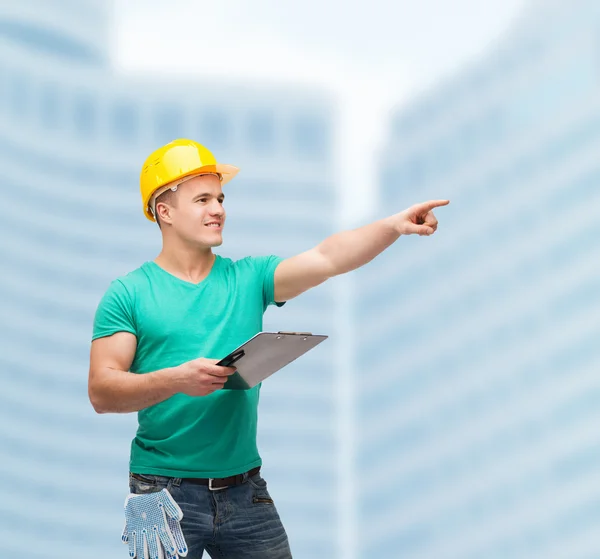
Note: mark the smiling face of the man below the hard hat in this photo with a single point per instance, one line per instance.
(195, 212)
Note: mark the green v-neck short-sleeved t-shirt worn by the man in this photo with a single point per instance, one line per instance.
(176, 321)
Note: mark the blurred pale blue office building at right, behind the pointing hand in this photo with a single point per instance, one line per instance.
(478, 395)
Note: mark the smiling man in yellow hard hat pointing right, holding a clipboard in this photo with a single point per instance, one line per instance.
(195, 480)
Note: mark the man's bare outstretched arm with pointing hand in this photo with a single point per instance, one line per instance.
(349, 250)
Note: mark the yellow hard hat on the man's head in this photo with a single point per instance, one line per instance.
(177, 160)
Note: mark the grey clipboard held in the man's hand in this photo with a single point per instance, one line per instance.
(265, 354)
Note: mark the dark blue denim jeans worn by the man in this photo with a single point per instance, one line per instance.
(239, 522)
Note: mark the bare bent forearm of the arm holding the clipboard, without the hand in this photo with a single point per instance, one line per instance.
(124, 392)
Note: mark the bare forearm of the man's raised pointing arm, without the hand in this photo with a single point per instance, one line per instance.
(349, 250)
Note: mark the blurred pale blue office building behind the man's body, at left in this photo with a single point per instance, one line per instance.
(73, 137)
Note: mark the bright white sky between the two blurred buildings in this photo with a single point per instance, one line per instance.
(370, 54)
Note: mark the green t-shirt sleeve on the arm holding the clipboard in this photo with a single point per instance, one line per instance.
(114, 313)
